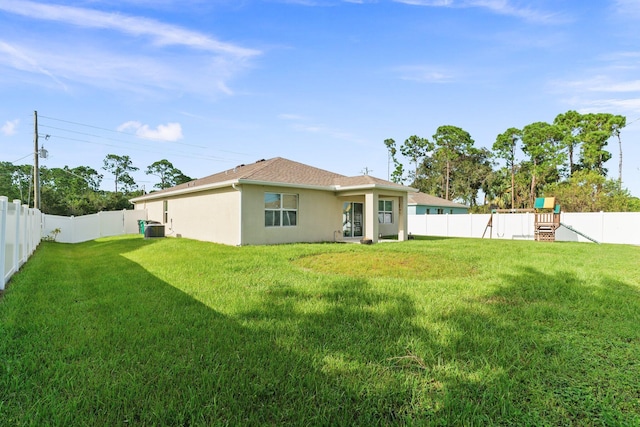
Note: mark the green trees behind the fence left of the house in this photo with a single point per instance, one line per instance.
(77, 191)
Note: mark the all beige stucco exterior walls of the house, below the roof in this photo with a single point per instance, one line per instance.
(235, 215)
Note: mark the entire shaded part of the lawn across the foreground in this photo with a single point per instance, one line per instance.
(114, 345)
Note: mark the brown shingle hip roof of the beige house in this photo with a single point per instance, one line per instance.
(279, 170)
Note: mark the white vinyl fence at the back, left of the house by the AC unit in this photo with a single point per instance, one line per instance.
(89, 227)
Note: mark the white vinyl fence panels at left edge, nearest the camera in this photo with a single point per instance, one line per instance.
(19, 236)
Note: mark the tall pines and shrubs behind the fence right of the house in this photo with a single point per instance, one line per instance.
(564, 159)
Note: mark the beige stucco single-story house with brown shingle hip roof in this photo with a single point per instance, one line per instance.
(280, 201)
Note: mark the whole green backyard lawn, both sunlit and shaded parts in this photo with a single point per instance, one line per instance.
(127, 331)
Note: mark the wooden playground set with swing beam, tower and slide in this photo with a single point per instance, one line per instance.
(546, 220)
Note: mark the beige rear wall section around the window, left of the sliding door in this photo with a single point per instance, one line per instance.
(319, 216)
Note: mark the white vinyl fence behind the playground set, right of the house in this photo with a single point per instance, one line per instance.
(603, 227)
